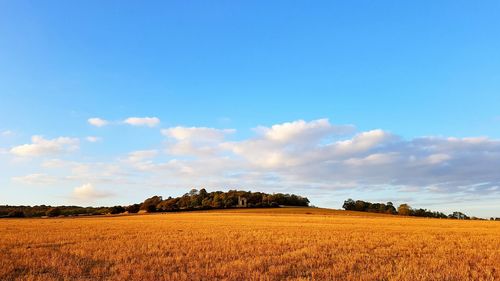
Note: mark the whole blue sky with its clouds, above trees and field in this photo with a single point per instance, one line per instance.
(410, 73)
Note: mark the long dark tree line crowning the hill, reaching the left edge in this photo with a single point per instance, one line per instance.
(193, 200)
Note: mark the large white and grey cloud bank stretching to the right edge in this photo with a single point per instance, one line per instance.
(318, 154)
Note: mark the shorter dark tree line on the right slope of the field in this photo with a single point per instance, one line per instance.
(402, 210)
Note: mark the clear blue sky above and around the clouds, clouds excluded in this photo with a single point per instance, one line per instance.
(422, 68)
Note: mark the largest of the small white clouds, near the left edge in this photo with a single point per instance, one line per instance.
(41, 146)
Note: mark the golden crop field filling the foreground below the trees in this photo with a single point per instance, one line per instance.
(250, 244)
